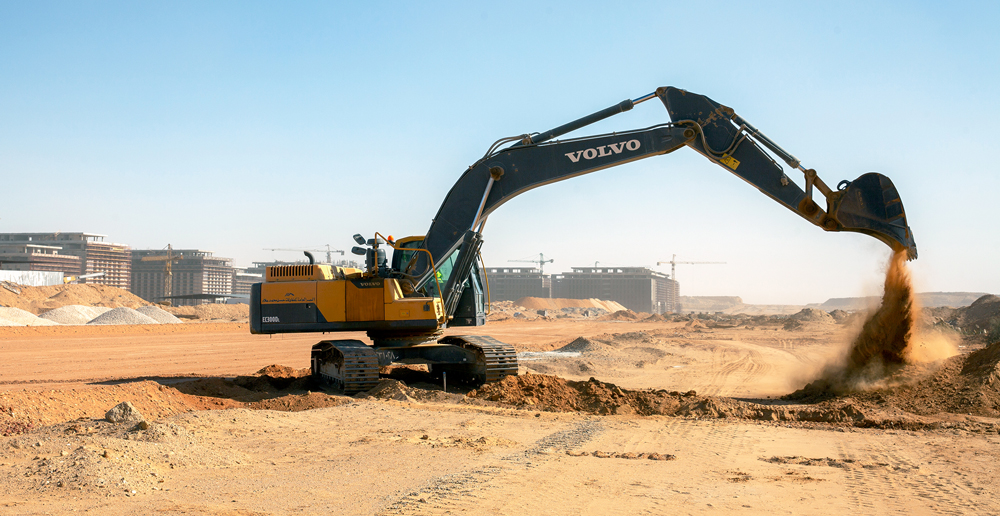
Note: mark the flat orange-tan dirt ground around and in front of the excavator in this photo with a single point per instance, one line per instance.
(607, 417)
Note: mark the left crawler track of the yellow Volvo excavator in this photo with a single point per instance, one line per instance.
(350, 365)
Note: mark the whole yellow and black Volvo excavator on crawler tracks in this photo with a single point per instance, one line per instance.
(436, 281)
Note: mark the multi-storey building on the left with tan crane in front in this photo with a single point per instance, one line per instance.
(194, 272)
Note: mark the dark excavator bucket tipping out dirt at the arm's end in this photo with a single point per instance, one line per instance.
(871, 205)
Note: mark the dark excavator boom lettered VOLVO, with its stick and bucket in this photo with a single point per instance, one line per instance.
(869, 204)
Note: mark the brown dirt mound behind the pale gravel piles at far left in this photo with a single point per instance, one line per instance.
(42, 299)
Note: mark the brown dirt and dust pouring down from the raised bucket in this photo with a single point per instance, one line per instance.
(888, 340)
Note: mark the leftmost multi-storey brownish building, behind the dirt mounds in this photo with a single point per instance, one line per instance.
(53, 252)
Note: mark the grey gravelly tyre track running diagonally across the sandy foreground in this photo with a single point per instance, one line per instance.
(461, 491)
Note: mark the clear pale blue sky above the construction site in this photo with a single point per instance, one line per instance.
(238, 126)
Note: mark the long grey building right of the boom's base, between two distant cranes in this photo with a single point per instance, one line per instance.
(637, 288)
